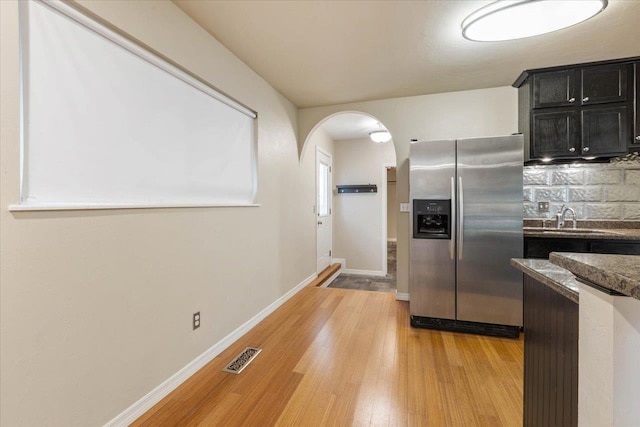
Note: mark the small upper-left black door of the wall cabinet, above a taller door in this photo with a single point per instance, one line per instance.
(555, 89)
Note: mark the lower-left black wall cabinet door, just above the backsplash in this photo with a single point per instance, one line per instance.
(555, 133)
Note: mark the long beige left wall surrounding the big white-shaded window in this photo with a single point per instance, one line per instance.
(96, 306)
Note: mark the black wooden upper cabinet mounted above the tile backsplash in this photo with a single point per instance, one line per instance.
(578, 111)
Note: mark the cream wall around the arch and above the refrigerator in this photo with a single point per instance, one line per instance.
(474, 113)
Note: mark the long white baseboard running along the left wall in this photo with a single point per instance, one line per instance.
(136, 410)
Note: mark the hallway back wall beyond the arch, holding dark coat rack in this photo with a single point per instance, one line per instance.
(358, 218)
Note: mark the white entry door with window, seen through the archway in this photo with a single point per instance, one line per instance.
(323, 208)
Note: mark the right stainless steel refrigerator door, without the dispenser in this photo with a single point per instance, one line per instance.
(490, 183)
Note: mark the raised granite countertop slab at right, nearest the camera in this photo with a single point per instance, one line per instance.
(620, 273)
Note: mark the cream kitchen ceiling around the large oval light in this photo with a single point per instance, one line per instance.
(330, 52)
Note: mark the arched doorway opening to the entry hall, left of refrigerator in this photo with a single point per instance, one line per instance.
(355, 220)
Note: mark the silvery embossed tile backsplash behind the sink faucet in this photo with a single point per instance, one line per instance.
(594, 191)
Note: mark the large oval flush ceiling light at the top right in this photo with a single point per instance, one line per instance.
(516, 19)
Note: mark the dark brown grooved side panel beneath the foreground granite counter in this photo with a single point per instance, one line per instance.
(550, 357)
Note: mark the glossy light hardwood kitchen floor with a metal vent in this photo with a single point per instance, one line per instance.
(343, 357)
